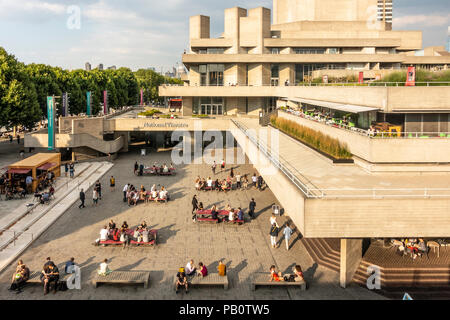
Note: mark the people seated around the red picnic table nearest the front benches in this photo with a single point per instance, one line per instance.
(124, 234)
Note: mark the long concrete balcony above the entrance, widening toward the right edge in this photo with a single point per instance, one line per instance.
(388, 99)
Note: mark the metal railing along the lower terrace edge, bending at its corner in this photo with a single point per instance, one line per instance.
(351, 193)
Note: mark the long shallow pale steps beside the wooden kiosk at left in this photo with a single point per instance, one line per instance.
(21, 230)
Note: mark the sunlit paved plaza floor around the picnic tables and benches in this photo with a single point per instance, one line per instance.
(244, 249)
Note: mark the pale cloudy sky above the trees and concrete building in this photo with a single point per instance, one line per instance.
(149, 33)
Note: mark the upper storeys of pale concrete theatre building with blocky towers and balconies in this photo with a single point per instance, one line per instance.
(308, 39)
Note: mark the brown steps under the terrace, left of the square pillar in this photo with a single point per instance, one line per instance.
(322, 253)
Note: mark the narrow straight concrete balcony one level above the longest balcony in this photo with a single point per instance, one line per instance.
(291, 58)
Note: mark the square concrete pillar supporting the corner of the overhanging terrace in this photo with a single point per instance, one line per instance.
(351, 255)
